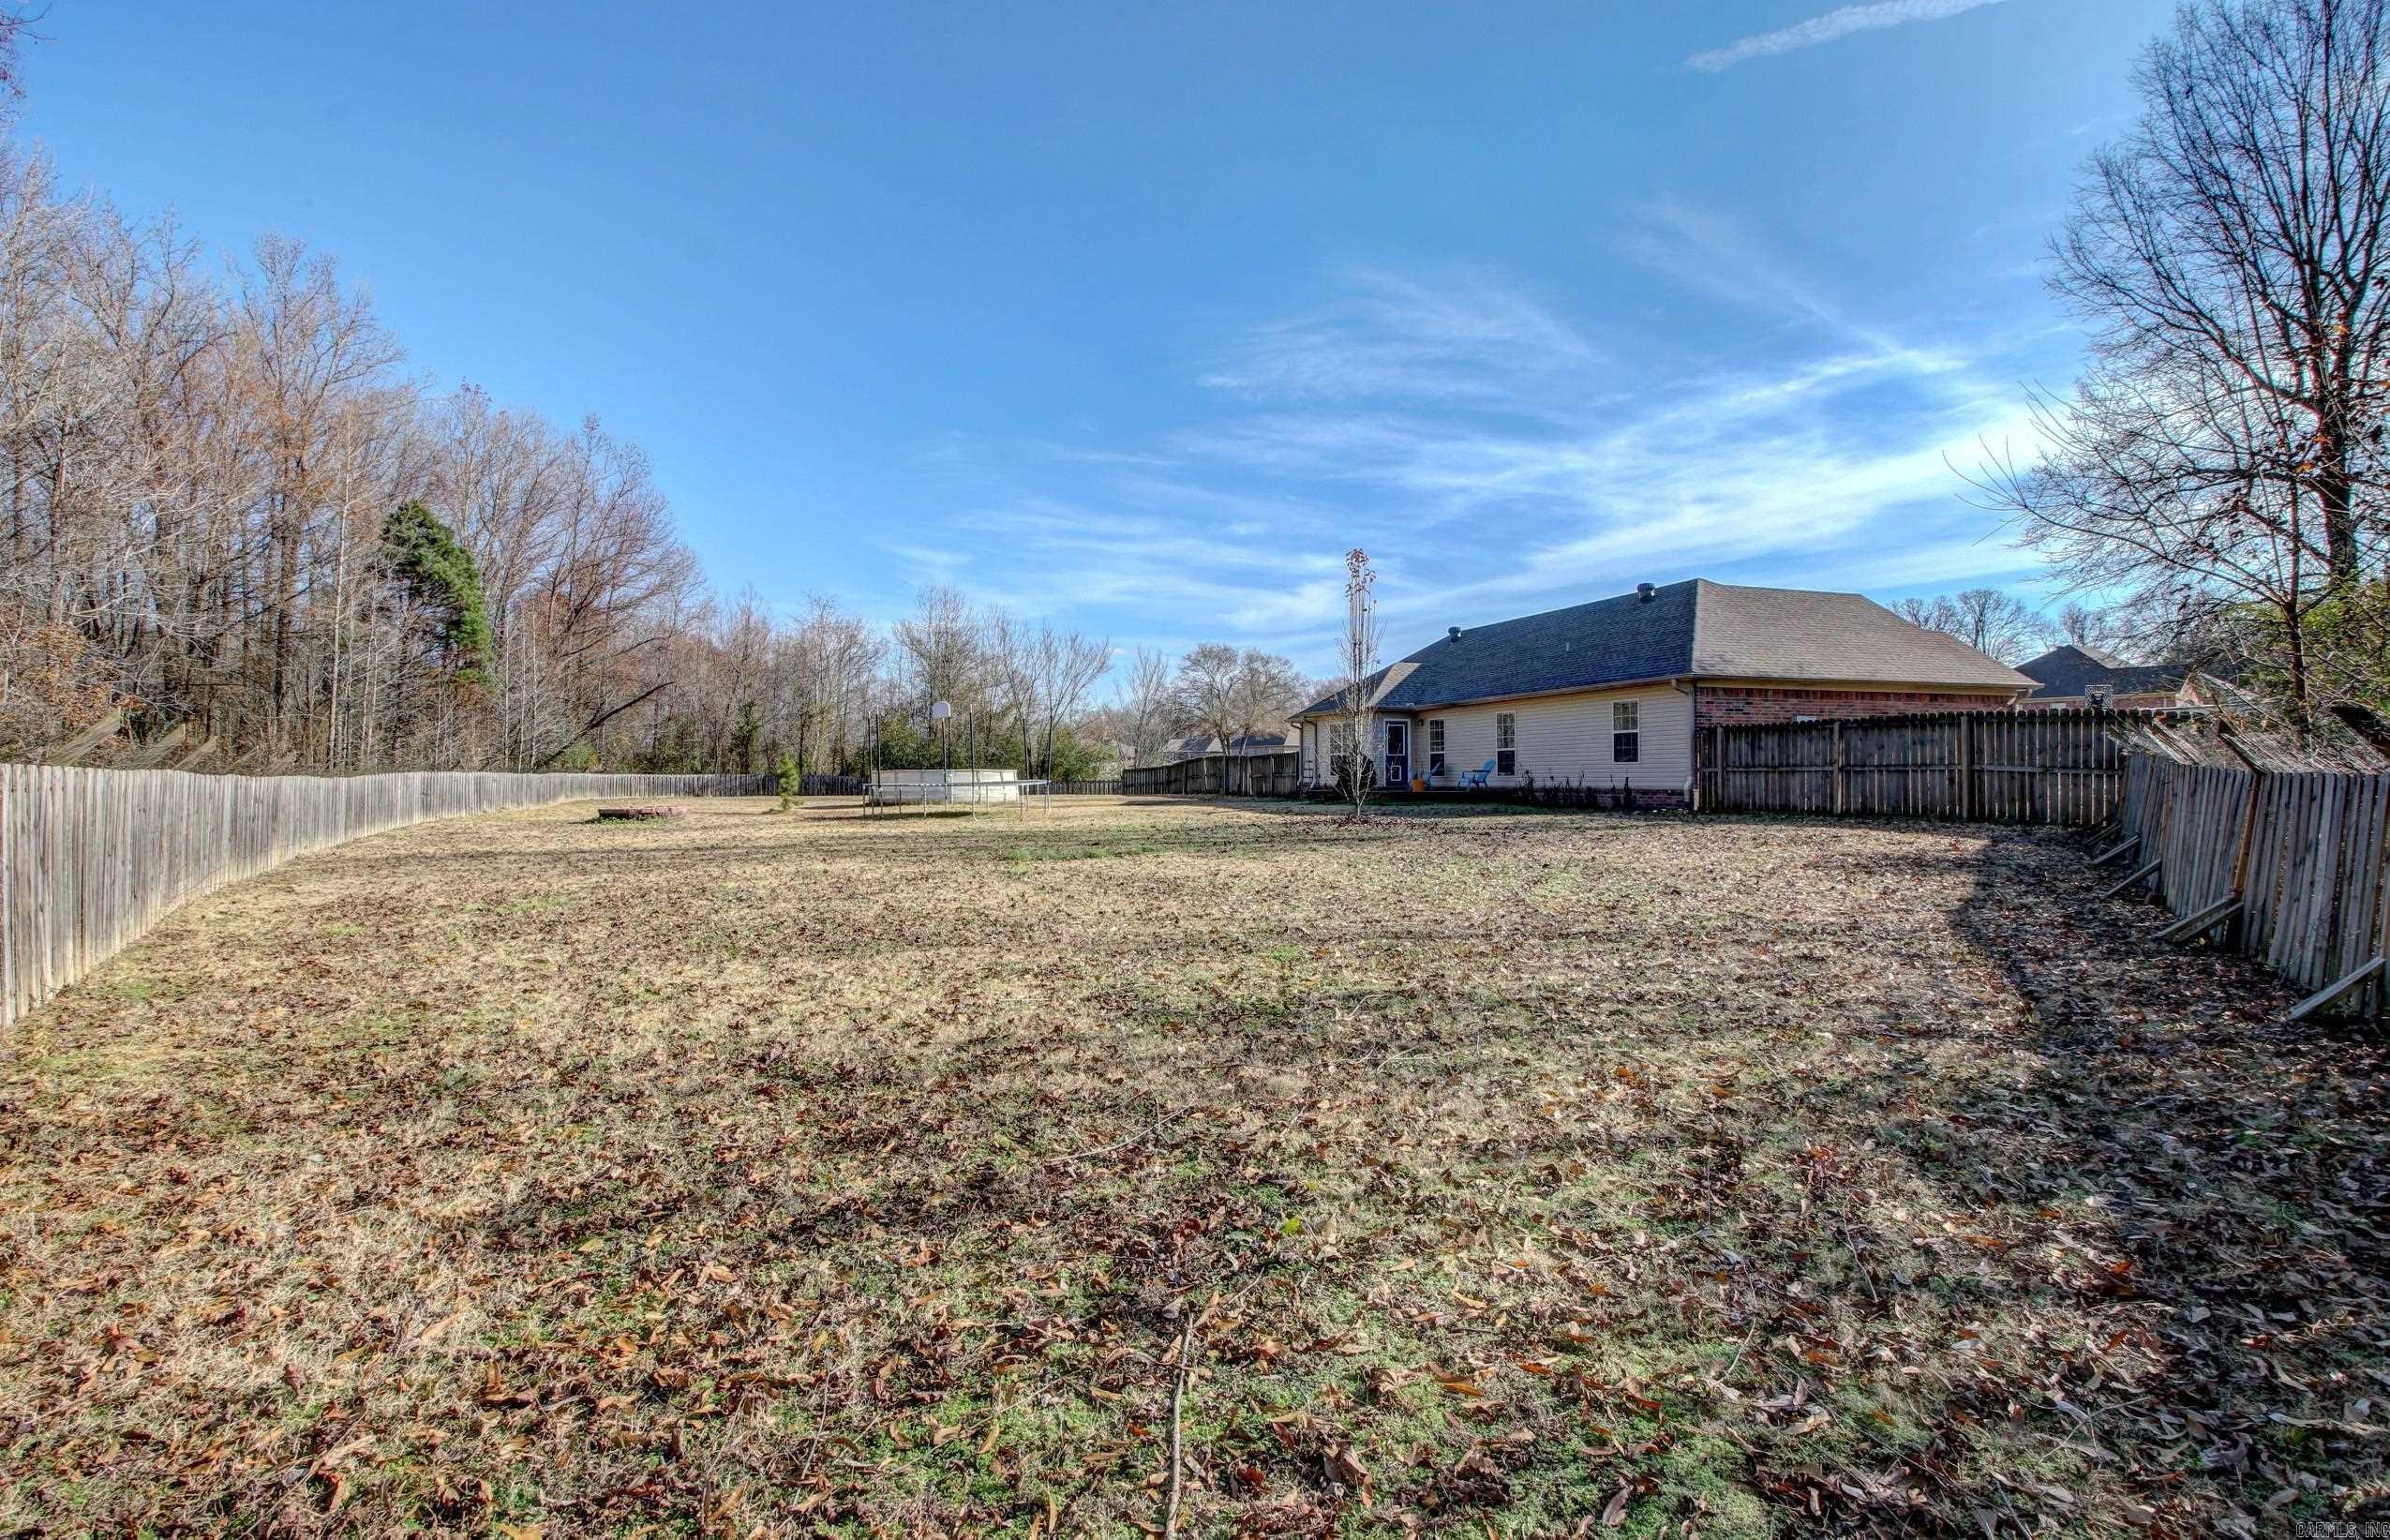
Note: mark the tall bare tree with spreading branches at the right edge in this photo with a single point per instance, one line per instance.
(2222, 458)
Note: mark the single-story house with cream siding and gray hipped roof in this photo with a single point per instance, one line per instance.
(1626, 687)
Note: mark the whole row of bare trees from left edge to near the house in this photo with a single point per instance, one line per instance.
(240, 537)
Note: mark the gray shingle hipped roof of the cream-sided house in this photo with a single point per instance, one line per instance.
(1686, 630)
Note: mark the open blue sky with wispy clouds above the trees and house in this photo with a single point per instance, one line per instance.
(1141, 317)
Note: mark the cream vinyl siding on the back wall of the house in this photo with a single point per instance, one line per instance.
(1569, 738)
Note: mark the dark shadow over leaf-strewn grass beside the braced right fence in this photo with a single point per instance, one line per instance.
(2188, 1194)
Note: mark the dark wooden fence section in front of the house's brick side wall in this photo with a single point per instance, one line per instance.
(1980, 766)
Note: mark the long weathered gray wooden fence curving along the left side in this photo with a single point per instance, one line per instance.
(90, 860)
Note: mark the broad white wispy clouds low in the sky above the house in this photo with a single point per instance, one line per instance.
(1502, 456)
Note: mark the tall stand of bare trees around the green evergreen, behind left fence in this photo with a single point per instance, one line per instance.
(226, 513)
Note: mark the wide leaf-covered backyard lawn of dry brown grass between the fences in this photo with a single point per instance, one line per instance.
(1476, 1173)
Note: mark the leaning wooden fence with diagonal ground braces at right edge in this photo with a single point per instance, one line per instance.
(2284, 864)
